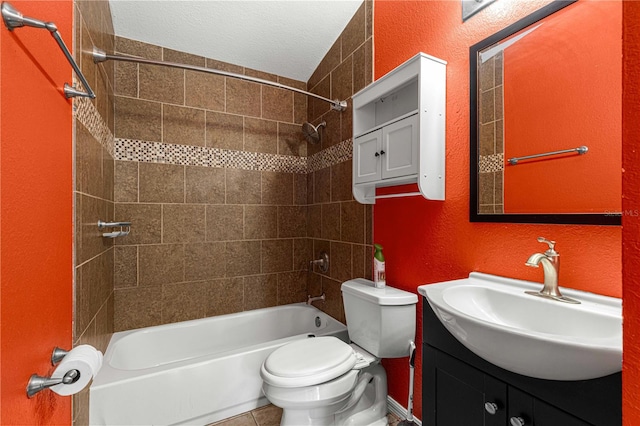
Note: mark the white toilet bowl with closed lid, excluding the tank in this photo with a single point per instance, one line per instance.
(324, 381)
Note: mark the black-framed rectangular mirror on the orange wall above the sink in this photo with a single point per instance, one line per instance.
(546, 118)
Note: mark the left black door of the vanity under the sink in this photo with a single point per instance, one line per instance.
(459, 395)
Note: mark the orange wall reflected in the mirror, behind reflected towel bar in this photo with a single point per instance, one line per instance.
(550, 106)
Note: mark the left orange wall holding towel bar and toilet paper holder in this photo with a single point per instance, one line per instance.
(36, 212)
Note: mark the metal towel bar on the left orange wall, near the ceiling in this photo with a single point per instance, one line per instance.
(14, 19)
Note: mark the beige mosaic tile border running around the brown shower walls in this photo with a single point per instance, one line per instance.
(157, 152)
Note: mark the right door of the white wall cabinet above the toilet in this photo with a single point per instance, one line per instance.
(399, 152)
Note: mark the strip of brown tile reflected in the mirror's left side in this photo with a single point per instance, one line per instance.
(491, 140)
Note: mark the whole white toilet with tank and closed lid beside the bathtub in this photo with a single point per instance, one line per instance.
(324, 381)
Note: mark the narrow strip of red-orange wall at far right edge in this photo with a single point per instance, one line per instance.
(631, 220)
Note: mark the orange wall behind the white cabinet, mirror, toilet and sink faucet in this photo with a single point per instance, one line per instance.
(426, 242)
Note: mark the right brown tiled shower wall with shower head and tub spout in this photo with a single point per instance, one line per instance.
(337, 223)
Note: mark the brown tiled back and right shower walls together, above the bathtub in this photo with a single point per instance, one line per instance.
(227, 200)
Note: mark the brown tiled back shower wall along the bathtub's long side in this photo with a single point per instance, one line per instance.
(211, 171)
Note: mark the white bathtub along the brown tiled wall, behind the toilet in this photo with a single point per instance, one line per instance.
(197, 372)
